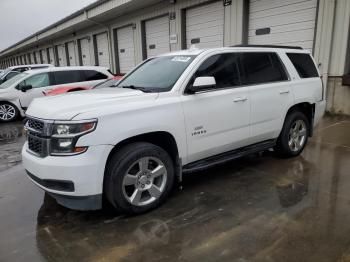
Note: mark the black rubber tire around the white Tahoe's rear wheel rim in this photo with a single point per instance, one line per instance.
(283, 147)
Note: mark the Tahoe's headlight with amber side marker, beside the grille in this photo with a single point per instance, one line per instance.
(65, 136)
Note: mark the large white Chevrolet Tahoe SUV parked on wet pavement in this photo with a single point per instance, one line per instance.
(173, 114)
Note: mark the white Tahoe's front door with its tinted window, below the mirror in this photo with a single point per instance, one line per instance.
(217, 119)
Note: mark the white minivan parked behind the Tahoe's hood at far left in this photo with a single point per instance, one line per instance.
(17, 93)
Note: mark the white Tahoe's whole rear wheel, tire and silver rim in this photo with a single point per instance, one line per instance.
(294, 134)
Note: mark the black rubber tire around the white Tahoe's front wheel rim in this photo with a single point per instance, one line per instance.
(117, 168)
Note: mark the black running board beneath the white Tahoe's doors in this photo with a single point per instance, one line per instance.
(228, 156)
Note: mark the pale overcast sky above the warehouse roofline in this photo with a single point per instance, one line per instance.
(22, 18)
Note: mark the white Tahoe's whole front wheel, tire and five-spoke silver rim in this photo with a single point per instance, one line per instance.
(138, 178)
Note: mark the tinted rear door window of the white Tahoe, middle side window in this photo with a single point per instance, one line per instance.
(259, 68)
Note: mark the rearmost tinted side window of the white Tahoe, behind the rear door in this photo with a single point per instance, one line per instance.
(303, 64)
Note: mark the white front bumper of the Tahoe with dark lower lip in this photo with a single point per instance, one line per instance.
(70, 178)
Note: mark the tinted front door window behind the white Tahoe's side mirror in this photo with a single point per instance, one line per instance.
(223, 68)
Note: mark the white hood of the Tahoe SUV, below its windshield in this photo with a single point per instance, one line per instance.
(91, 102)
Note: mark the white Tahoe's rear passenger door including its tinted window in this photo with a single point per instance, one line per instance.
(270, 93)
